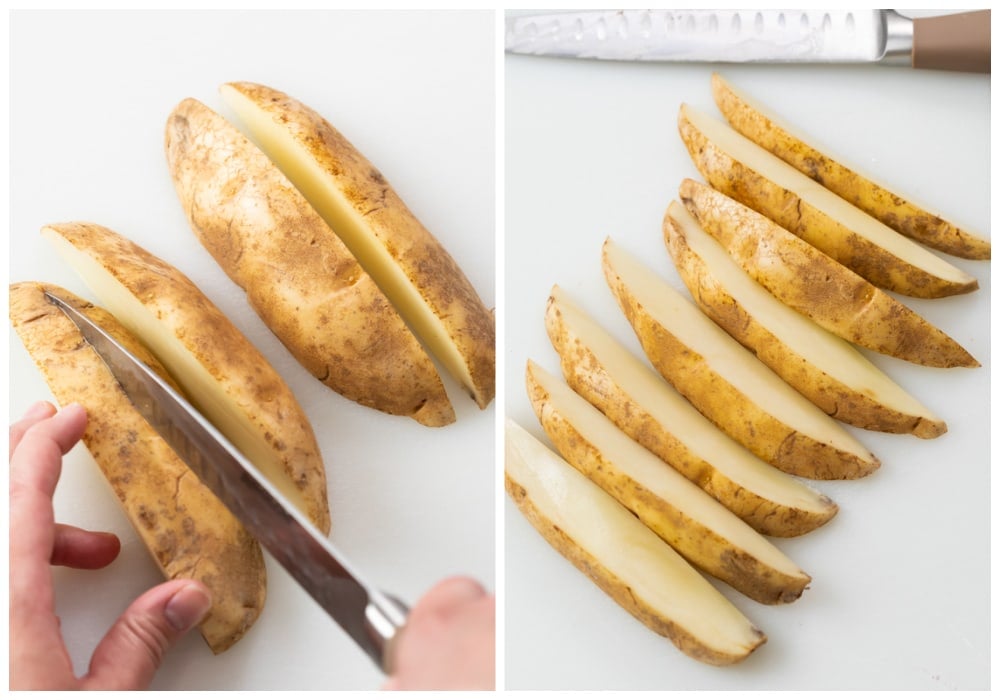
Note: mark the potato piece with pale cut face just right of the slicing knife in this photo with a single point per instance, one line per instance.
(223, 374)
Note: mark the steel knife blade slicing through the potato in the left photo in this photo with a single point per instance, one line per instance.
(372, 618)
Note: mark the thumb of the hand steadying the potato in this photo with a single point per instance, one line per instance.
(132, 650)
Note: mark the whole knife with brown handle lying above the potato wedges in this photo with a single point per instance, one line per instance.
(957, 42)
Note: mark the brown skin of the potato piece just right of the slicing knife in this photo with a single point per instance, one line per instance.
(222, 349)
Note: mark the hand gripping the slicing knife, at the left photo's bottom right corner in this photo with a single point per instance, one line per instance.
(449, 640)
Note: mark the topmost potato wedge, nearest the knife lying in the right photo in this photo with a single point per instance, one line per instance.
(764, 129)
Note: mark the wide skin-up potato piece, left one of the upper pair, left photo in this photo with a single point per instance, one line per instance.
(298, 275)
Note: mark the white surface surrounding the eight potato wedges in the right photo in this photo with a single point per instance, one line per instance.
(900, 592)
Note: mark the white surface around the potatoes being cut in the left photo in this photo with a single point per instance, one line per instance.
(90, 94)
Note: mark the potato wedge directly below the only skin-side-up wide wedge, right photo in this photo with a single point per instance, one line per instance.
(827, 370)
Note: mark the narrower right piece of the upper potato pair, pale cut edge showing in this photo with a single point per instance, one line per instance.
(410, 265)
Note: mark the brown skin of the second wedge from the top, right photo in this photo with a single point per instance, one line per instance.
(785, 208)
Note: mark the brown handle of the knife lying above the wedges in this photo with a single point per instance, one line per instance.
(958, 42)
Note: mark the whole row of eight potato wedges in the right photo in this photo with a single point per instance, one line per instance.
(745, 388)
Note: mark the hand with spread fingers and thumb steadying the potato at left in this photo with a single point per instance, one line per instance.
(131, 651)
